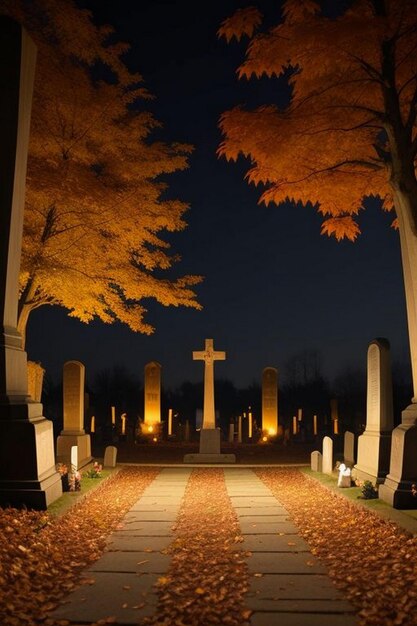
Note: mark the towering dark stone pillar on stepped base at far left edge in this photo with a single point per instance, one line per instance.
(28, 476)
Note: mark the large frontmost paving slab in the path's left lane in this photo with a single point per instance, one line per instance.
(127, 597)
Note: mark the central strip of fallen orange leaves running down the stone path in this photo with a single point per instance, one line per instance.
(208, 575)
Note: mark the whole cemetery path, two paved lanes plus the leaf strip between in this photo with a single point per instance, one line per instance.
(207, 546)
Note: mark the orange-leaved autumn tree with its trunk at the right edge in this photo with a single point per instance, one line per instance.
(348, 131)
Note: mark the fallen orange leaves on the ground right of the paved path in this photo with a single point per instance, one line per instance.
(370, 559)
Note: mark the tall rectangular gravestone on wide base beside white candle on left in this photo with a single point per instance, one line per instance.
(73, 433)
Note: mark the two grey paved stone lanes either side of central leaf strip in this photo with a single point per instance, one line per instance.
(288, 586)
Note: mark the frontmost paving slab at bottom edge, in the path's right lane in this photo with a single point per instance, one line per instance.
(302, 619)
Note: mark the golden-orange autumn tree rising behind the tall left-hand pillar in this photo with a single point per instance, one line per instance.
(97, 212)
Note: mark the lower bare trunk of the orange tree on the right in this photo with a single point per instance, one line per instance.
(408, 241)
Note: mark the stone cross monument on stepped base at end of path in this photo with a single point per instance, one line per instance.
(209, 434)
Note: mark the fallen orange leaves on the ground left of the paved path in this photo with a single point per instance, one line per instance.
(41, 557)
